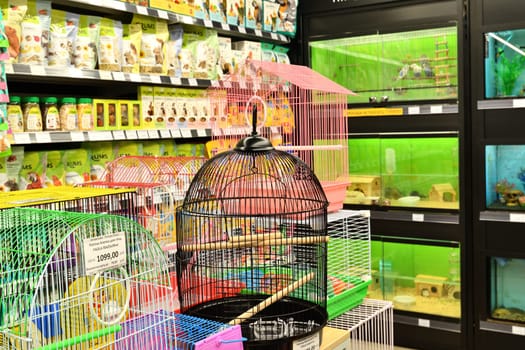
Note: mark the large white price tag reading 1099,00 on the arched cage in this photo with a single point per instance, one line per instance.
(104, 253)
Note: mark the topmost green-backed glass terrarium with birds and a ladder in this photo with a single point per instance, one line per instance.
(402, 66)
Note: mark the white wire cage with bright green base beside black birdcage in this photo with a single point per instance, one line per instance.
(349, 260)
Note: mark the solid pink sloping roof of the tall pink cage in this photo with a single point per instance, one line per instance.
(301, 76)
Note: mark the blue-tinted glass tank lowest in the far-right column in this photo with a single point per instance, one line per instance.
(507, 289)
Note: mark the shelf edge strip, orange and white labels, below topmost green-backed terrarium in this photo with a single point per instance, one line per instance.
(404, 110)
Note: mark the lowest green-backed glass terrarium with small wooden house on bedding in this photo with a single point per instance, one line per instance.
(417, 276)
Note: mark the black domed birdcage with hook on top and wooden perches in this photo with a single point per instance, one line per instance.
(251, 240)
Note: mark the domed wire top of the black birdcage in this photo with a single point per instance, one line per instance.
(254, 179)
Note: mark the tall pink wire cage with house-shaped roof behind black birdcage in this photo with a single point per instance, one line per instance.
(299, 111)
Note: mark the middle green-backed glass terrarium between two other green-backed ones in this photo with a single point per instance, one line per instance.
(420, 172)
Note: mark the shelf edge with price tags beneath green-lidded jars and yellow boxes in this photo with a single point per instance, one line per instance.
(113, 135)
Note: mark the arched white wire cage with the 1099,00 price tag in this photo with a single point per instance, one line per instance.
(70, 280)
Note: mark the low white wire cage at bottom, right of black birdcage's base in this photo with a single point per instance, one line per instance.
(371, 325)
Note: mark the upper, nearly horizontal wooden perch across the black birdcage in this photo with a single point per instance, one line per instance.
(252, 243)
